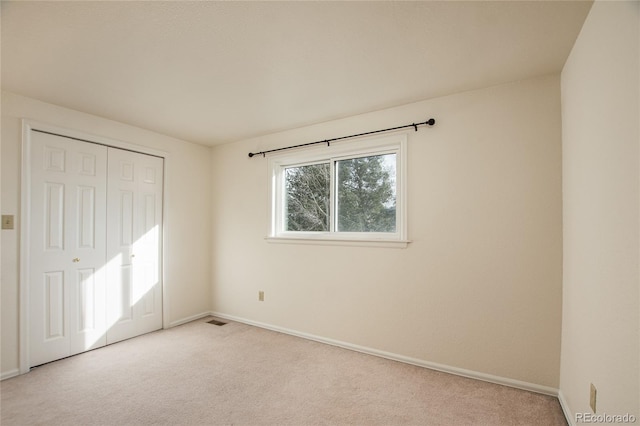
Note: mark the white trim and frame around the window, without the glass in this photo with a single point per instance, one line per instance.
(342, 150)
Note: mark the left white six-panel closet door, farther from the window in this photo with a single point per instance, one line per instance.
(67, 247)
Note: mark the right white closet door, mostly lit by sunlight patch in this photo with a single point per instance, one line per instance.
(134, 224)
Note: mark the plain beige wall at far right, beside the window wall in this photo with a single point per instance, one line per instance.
(600, 115)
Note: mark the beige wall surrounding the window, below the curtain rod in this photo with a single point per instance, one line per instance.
(479, 288)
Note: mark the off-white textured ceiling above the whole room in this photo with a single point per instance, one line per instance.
(215, 72)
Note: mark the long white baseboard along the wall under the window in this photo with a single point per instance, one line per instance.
(401, 358)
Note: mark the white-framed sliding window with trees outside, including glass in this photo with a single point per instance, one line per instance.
(350, 192)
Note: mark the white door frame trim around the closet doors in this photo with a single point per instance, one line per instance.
(25, 229)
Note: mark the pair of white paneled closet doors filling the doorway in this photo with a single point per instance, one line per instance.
(94, 260)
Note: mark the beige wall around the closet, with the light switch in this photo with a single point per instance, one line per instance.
(187, 272)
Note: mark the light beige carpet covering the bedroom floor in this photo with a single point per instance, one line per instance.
(202, 374)
